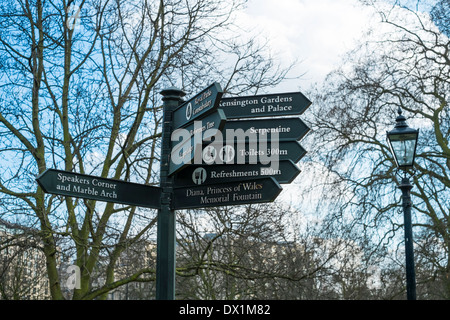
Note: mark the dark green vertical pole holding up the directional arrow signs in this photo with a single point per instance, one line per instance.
(165, 260)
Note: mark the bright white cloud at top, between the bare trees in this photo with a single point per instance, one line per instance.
(316, 32)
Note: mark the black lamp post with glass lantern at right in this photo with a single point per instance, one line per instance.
(403, 143)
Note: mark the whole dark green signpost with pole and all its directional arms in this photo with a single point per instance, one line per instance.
(248, 169)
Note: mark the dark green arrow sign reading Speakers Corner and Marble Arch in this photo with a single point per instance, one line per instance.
(77, 185)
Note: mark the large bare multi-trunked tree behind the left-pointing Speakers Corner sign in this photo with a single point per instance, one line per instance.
(80, 83)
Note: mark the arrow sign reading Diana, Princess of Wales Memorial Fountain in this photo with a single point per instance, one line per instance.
(224, 194)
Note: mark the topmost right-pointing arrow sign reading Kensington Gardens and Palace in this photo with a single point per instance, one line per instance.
(283, 104)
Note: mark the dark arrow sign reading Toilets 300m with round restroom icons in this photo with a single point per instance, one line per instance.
(248, 153)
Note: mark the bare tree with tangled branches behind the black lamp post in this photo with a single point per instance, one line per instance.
(407, 66)
